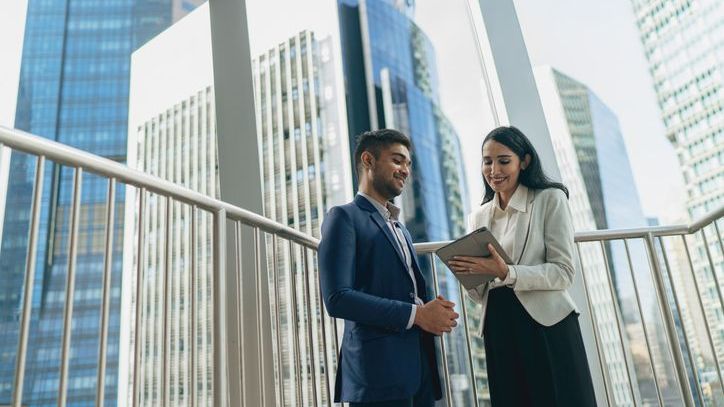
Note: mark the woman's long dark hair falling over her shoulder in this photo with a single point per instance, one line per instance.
(533, 177)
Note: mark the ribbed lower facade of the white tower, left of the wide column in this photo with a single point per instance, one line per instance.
(178, 145)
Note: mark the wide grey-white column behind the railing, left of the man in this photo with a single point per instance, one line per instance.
(240, 175)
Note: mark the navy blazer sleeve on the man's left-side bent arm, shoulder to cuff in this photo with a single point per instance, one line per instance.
(337, 269)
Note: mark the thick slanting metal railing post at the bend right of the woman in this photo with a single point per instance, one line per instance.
(675, 346)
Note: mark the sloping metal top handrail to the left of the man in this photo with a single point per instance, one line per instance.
(63, 154)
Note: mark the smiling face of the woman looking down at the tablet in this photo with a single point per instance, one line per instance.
(501, 167)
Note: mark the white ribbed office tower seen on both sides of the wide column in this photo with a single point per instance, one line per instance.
(305, 169)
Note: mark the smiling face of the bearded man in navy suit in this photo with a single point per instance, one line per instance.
(390, 170)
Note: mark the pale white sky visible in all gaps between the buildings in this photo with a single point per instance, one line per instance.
(592, 41)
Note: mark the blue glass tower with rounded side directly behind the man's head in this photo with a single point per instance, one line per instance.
(391, 81)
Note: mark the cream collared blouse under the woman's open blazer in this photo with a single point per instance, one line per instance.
(502, 226)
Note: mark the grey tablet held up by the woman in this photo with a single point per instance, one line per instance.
(474, 244)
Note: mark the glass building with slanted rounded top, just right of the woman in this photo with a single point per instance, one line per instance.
(597, 163)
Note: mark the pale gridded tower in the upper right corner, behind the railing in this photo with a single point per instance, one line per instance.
(684, 44)
